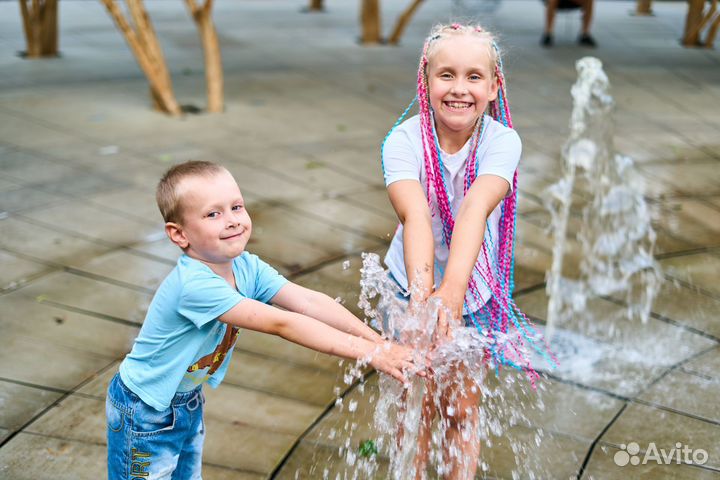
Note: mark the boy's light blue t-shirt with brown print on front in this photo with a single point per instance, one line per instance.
(182, 343)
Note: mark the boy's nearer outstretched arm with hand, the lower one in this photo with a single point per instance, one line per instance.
(306, 331)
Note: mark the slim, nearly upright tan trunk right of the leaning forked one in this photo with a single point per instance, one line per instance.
(211, 48)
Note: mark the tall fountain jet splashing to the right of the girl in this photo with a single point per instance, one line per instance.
(616, 239)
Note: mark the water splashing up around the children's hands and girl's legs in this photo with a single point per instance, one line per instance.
(501, 422)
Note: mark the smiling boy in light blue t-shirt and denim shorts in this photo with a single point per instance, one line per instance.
(154, 404)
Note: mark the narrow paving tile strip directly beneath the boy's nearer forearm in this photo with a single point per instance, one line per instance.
(277, 347)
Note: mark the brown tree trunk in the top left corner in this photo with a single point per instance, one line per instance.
(40, 20)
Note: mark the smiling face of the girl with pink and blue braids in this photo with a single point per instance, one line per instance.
(461, 83)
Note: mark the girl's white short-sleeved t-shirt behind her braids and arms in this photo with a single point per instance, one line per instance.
(498, 154)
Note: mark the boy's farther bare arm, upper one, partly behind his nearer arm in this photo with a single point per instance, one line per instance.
(319, 306)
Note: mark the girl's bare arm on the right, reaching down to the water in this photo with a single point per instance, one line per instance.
(483, 197)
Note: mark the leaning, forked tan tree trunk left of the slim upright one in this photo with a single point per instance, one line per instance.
(145, 46)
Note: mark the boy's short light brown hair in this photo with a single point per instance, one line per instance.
(167, 196)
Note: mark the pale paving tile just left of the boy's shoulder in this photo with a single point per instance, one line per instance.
(124, 266)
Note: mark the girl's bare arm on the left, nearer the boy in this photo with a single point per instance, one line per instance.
(411, 206)
